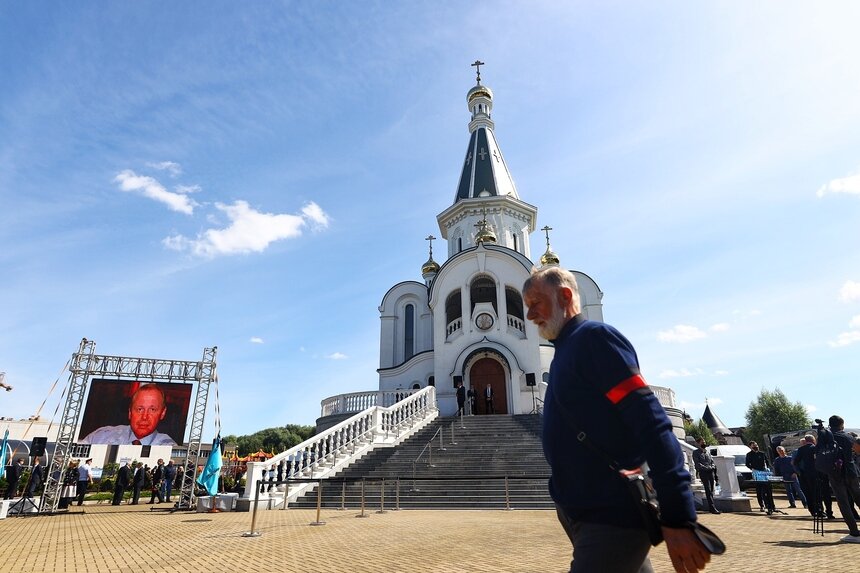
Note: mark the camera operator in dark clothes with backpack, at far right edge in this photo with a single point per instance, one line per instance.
(833, 458)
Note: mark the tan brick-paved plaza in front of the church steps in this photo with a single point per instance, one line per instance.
(135, 539)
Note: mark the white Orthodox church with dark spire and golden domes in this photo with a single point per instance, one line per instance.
(465, 323)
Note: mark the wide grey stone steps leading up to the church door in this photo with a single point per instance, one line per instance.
(468, 474)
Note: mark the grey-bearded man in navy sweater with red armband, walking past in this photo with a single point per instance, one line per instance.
(595, 389)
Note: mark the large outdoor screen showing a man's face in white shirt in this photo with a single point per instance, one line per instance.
(133, 412)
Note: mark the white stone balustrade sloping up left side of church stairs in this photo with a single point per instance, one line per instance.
(336, 447)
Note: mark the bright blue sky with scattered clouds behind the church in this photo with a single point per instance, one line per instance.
(257, 176)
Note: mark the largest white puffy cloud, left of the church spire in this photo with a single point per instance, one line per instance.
(249, 230)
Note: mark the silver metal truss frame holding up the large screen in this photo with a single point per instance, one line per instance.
(85, 363)
